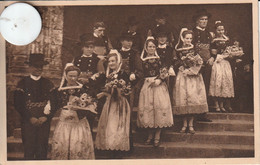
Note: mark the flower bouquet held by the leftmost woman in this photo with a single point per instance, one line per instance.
(84, 102)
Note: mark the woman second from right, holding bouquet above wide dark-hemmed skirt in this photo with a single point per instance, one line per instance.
(189, 94)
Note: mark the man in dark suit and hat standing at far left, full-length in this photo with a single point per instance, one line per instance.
(30, 100)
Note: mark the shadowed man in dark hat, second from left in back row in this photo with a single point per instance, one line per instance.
(132, 29)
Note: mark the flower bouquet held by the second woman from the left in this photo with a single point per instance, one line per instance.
(124, 88)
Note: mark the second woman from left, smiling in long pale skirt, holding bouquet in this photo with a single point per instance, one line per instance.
(114, 122)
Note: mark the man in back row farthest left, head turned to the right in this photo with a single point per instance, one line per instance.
(101, 41)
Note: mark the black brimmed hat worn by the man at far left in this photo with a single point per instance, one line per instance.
(36, 60)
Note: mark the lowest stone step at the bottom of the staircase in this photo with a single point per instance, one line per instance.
(173, 150)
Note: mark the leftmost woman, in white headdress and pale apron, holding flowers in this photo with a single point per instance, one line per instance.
(72, 137)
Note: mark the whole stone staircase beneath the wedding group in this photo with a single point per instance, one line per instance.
(229, 135)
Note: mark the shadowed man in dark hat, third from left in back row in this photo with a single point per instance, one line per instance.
(161, 21)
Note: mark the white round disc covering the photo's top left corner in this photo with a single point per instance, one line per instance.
(20, 24)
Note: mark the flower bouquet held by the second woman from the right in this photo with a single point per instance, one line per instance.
(190, 60)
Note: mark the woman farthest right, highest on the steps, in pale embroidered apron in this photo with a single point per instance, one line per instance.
(221, 82)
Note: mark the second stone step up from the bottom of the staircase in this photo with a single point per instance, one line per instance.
(243, 138)
